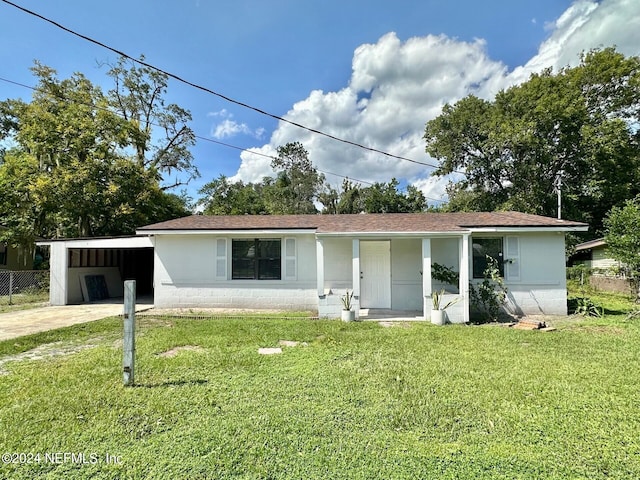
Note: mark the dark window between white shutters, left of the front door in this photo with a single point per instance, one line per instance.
(256, 259)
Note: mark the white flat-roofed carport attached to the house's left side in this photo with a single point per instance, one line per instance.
(94, 269)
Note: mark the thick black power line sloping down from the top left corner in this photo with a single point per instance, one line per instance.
(217, 94)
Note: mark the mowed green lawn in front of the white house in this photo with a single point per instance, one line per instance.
(358, 401)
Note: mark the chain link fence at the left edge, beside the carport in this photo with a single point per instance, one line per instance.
(21, 287)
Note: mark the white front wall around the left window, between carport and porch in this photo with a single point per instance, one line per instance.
(185, 276)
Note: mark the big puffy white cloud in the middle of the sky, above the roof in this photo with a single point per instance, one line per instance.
(395, 88)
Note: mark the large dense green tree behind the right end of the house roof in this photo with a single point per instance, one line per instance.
(577, 125)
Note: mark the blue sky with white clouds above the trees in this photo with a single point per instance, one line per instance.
(373, 72)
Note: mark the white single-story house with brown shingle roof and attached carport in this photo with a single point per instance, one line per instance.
(307, 262)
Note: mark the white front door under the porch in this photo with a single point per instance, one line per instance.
(375, 277)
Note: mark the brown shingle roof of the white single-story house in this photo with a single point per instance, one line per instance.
(370, 222)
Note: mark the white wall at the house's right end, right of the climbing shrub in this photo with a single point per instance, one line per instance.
(542, 287)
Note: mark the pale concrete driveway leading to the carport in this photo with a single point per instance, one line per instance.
(25, 322)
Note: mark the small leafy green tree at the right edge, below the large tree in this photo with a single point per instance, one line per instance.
(623, 239)
